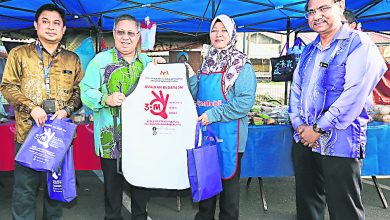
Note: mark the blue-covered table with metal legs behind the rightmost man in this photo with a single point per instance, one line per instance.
(268, 154)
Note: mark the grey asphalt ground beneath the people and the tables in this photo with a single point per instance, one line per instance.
(279, 193)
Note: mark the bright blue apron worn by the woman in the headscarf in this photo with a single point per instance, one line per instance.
(210, 94)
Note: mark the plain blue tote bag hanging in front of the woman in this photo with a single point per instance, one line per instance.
(203, 167)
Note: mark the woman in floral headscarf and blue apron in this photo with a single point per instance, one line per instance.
(225, 91)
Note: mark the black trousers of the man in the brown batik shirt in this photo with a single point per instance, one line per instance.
(25, 192)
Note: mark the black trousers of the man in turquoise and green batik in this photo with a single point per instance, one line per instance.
(113, 194)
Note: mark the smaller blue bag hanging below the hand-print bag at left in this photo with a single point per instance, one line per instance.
(61, 184)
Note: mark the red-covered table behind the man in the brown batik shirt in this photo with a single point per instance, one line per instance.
(83, 148)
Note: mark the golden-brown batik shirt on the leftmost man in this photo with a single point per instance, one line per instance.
(24, 84)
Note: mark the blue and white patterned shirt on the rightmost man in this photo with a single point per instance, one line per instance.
(332, 86)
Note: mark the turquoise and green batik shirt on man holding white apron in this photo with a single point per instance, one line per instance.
(107, 73)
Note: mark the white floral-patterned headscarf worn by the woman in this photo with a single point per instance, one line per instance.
(229, 57)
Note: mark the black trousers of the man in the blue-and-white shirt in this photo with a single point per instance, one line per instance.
(326, 180)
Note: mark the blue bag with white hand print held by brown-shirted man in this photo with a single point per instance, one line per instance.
(46, 146)
